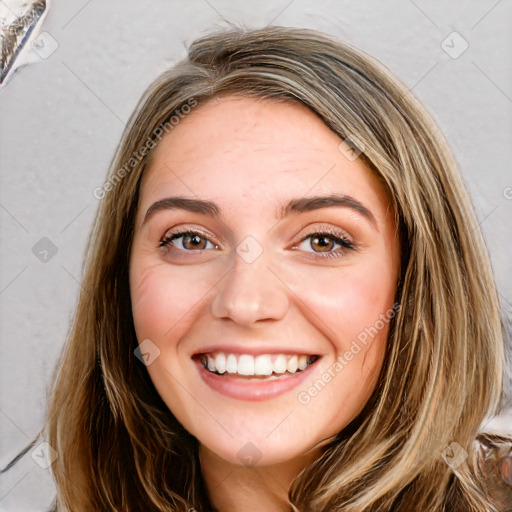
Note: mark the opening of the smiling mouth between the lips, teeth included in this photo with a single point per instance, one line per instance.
(251, 367)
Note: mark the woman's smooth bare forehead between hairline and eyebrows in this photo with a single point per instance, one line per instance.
(237, 148)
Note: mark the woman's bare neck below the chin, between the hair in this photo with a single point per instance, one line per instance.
(236, 488)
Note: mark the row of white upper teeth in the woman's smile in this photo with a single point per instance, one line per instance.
(246, 364)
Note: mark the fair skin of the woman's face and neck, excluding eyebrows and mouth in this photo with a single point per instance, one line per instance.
(250, 157)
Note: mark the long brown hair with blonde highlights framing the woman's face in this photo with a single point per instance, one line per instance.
(444, 363)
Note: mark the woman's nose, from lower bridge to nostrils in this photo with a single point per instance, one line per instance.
(250, 292)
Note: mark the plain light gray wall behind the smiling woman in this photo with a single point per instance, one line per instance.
(62, 118)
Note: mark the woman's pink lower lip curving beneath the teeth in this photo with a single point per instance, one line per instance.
(252, 390)
